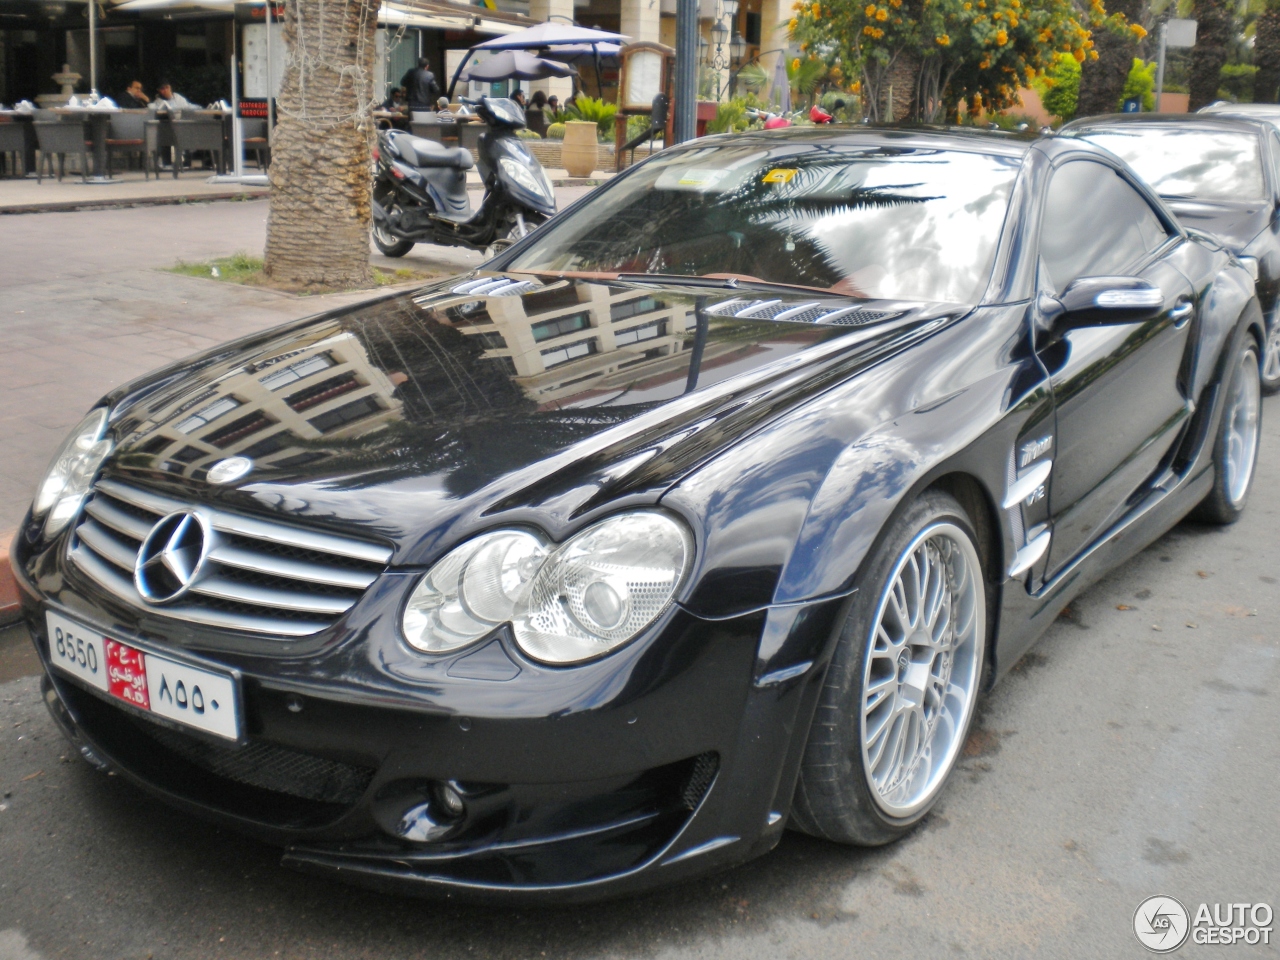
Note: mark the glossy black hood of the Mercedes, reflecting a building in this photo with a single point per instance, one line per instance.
(419, 418)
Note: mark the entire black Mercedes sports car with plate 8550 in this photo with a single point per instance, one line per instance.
(708, 509)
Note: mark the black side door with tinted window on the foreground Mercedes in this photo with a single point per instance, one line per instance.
(1117, 390)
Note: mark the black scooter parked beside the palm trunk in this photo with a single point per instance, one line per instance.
(420, 188)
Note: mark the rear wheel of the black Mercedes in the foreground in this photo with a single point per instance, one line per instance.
(1227, 501)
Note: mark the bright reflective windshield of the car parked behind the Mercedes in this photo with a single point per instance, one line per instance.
(1203, 164)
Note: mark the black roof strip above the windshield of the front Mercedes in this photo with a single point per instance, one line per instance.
(975, 141)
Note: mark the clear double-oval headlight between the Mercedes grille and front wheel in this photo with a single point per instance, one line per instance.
(566, 604)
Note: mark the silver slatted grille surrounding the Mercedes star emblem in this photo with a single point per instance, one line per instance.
(260, 577)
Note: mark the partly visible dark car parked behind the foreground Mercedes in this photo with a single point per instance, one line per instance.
(1219, 175)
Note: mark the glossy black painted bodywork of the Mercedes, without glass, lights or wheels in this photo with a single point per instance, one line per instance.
(787, 447)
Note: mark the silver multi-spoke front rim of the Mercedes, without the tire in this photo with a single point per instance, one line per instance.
(921, 678)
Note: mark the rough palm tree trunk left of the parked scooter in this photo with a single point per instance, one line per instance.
(318, 230)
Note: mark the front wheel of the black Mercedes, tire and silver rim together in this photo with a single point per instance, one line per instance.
(903, 684)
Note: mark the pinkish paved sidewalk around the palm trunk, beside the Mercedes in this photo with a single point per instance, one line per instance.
(88, 305)
